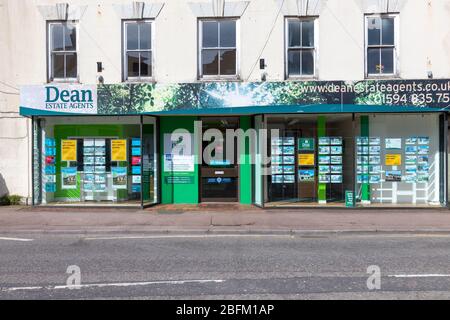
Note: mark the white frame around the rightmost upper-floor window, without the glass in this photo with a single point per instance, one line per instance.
(396, 46)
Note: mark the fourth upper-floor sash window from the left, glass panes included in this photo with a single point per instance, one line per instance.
(300, 47)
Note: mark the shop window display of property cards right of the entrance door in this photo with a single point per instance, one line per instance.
(376, 159)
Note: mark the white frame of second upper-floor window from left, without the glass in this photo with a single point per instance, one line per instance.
(124, 51)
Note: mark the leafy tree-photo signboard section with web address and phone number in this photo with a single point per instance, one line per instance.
(151, 97)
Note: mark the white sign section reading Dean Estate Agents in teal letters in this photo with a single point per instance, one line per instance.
(50, 99)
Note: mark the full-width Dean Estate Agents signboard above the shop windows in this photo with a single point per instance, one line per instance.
(258, 97)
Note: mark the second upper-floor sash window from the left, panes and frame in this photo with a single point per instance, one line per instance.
(138, 50)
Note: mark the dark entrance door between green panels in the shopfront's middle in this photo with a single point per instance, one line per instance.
(219, 175)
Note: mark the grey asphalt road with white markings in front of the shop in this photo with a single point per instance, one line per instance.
(124, 266)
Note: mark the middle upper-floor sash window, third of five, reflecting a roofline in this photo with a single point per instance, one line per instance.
(218, 48)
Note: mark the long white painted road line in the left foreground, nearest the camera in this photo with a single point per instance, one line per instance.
(116, 284)
